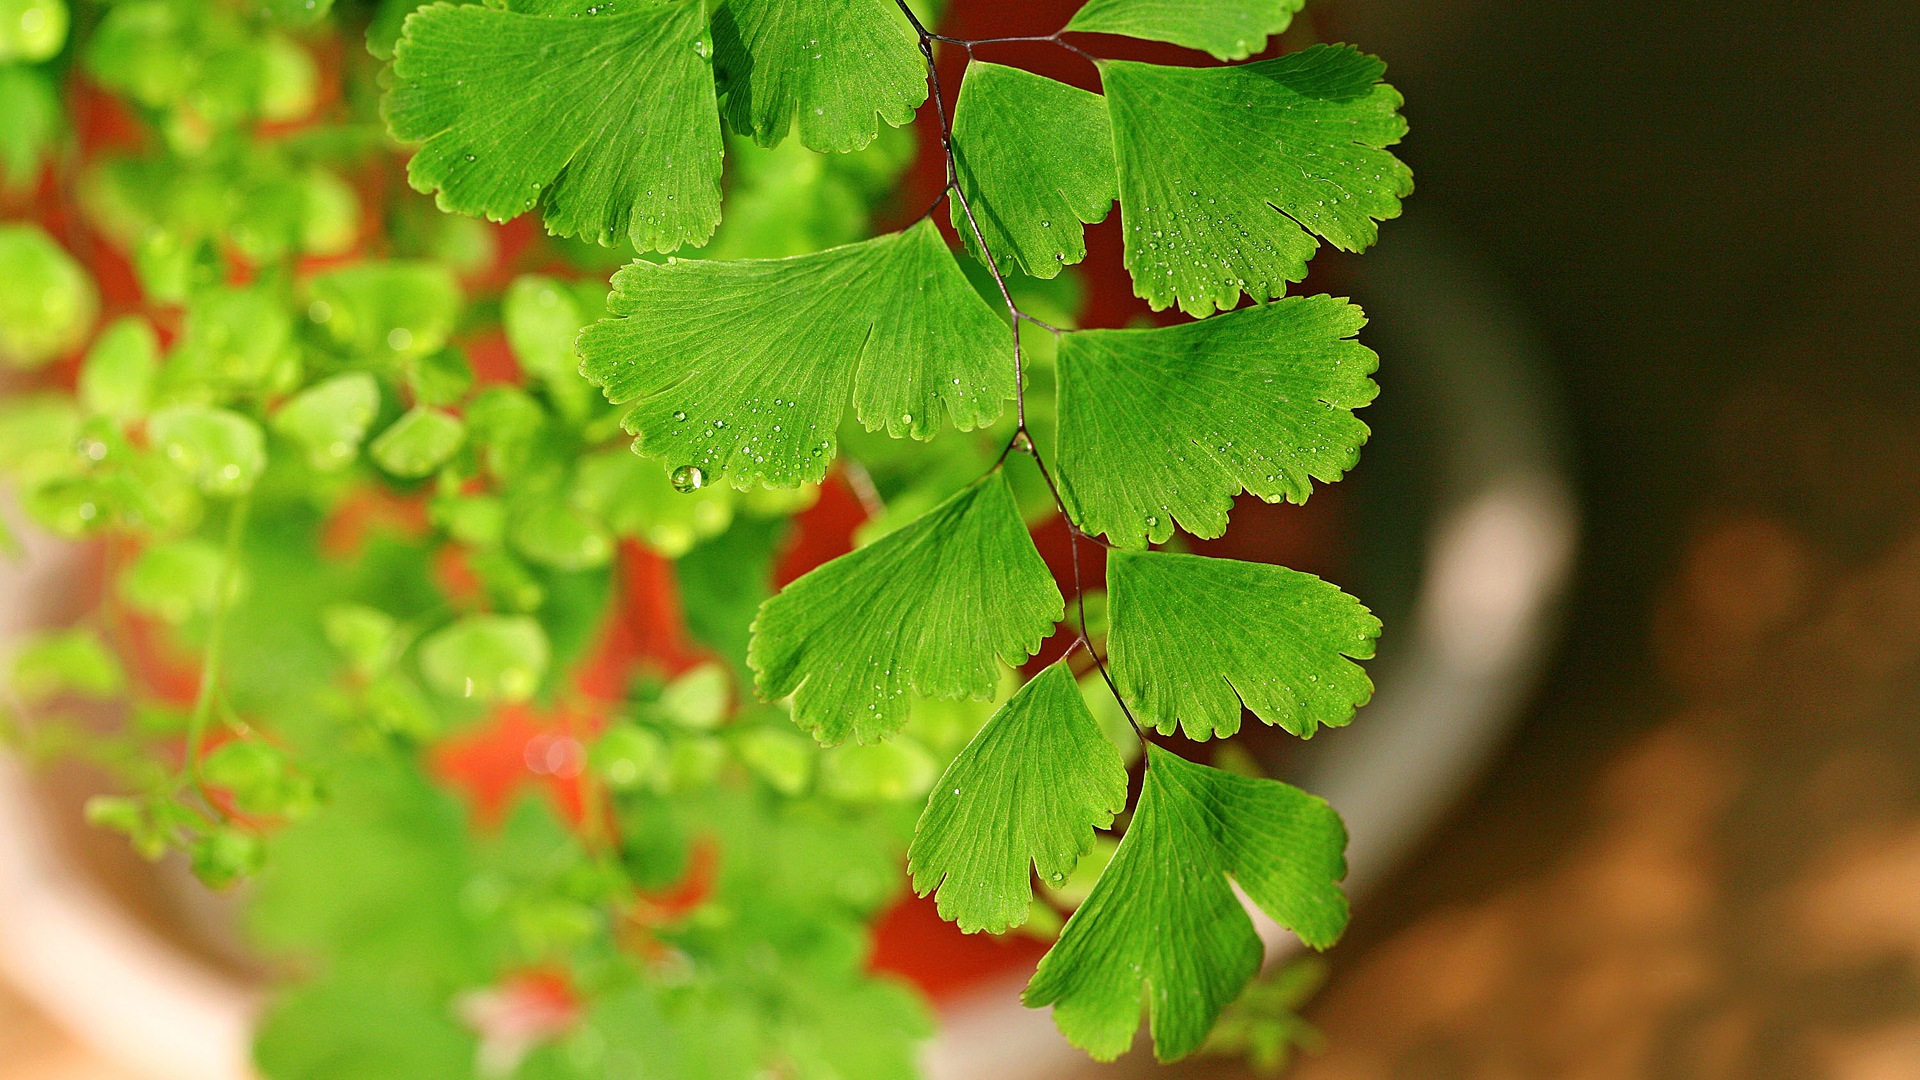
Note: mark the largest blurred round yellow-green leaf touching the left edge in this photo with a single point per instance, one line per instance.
(49, 303)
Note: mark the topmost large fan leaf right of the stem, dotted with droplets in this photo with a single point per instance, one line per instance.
(1226, 170)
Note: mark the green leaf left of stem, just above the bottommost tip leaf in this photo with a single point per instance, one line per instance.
(1028, 791)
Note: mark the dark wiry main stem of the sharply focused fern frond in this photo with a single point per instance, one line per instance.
(1015, 316)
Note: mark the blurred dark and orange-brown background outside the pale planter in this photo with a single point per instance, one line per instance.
(1700, 854)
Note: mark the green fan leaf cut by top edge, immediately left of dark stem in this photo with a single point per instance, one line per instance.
(842, 68)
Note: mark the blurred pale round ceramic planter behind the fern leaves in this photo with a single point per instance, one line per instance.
(1464, 531)
